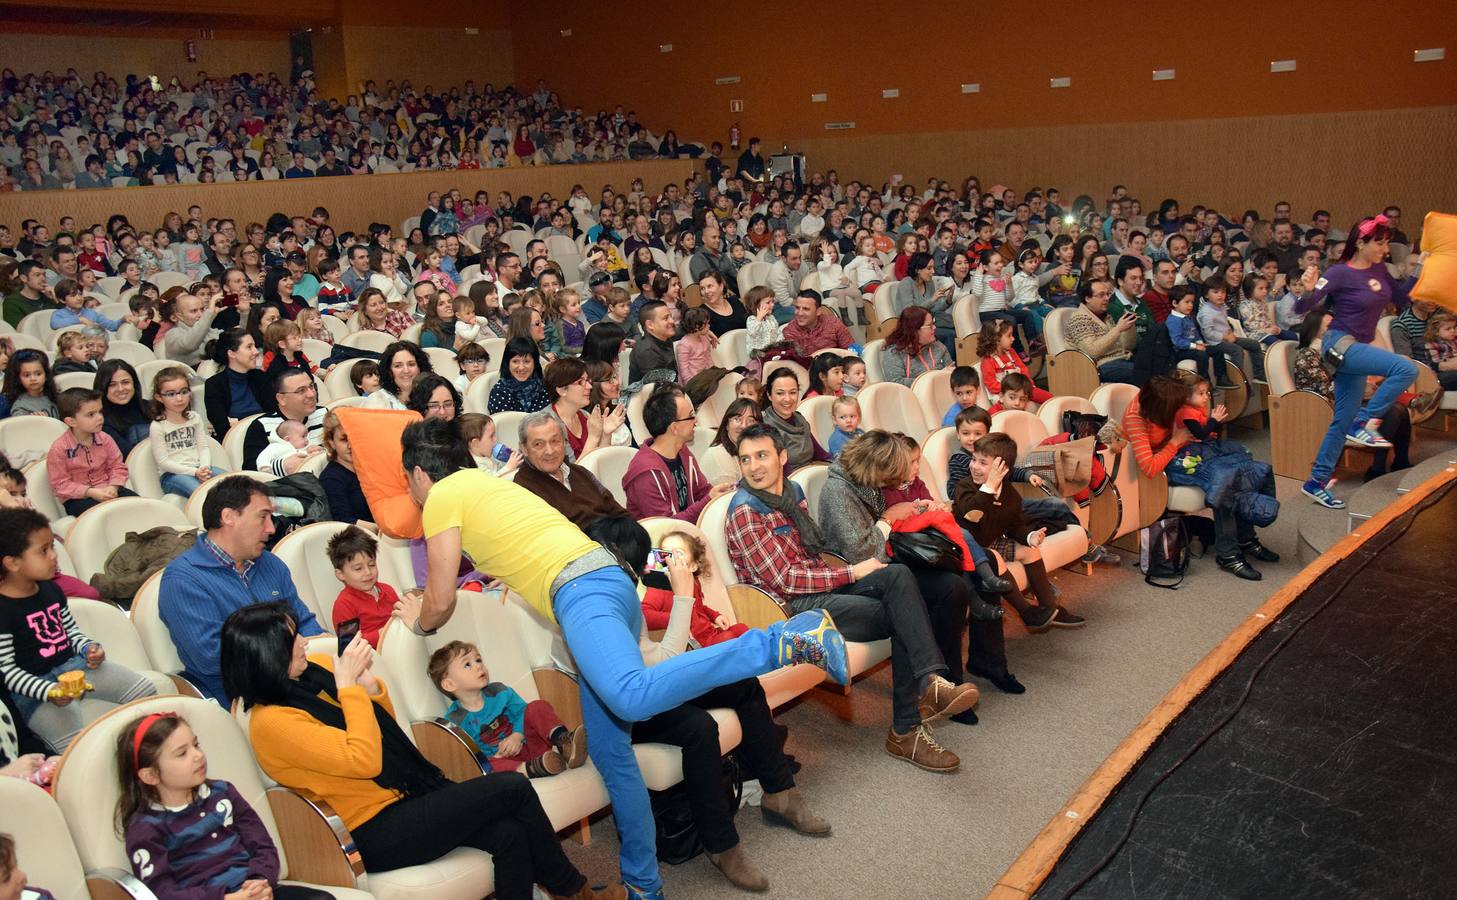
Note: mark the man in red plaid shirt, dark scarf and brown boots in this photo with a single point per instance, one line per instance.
(774, 544)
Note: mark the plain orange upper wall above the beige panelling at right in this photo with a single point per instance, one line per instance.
(1346, 60)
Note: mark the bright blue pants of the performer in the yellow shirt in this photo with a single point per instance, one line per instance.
(601, 618)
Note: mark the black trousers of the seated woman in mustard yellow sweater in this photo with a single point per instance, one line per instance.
(498, 813)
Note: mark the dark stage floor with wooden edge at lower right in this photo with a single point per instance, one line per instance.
(1338, 778)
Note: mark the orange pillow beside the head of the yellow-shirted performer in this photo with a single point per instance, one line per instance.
(375, 439)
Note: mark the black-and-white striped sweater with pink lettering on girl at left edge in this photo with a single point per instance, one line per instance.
(37, 636)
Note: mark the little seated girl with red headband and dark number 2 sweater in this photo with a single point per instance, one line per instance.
(189, 837)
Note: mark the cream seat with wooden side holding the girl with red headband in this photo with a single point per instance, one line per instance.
(87, 783)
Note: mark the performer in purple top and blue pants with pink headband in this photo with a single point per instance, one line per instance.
(1356, 293)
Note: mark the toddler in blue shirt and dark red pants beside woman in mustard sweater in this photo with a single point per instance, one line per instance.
(509, 732)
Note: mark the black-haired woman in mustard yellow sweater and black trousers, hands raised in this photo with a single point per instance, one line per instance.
(326, 727)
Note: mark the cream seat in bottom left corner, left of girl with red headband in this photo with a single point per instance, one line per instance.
(44, 848)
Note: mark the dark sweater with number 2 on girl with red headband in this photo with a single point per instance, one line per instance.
(203, 851)
